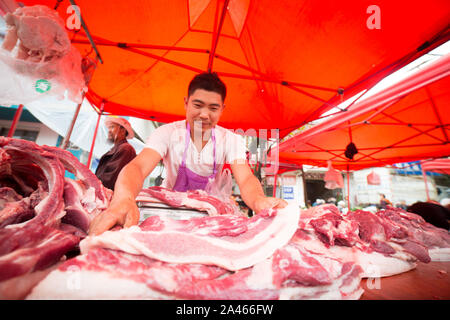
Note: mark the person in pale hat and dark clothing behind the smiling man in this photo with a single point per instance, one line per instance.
(110, 164)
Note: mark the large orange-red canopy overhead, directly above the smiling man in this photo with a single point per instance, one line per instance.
(283, 62)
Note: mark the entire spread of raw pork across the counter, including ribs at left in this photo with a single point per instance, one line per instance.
(278, 254)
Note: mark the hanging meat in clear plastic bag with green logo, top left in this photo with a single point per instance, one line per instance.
(36, 65)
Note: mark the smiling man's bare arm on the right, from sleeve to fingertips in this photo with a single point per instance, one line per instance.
(251, 189)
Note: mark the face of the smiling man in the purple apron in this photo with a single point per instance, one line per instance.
(203, 108)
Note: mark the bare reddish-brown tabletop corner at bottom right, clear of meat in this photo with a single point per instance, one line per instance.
(429, 281)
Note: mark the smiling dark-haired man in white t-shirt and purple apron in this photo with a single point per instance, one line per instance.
(193, 152)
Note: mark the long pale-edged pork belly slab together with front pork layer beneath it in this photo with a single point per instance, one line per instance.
(218, 257)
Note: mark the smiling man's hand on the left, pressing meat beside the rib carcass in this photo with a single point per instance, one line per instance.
(123, 212)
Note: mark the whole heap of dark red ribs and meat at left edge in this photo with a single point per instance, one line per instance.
(35, 230)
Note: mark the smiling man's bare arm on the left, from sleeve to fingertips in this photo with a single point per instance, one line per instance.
(123, 209)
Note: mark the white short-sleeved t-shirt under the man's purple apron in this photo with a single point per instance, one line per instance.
(169, 141)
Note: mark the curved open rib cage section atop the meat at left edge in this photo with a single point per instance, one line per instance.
(46, 195)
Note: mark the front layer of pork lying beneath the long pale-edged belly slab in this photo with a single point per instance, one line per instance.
(291, 273)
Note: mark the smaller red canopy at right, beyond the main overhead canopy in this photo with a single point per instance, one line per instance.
(408, 121)
